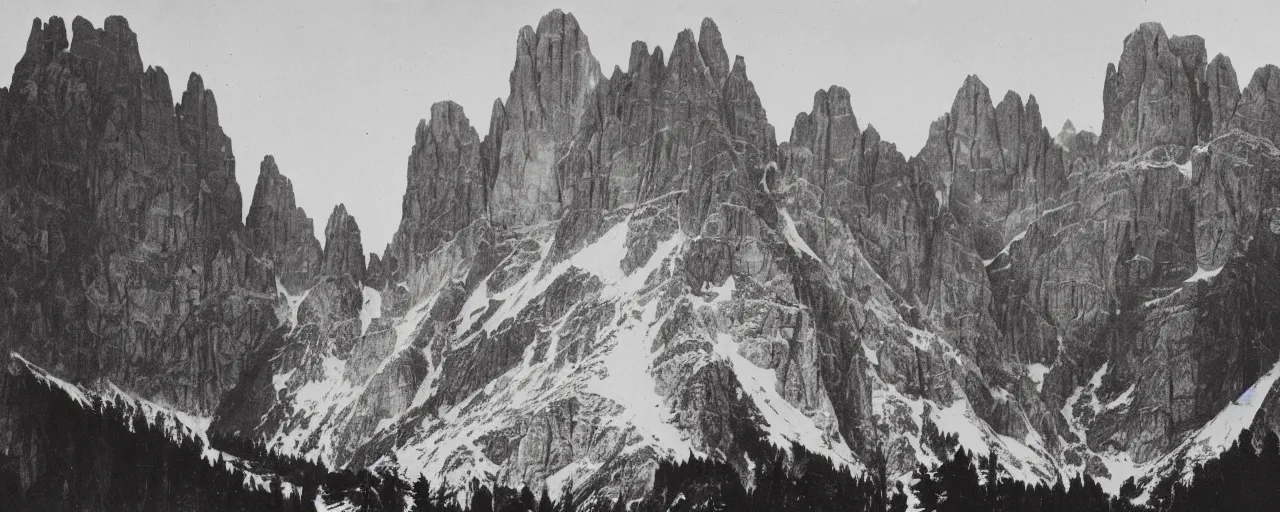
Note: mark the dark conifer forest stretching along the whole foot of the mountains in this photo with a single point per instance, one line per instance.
(107, 455)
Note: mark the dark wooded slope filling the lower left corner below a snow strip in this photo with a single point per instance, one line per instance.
(108, 455)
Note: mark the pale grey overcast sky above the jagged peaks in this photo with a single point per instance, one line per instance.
(335, 92)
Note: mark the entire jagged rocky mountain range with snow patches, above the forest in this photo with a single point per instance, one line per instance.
(632, 268)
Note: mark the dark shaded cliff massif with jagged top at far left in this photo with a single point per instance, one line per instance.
(125, 253)
